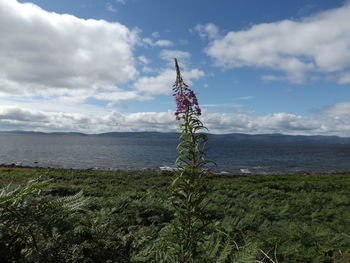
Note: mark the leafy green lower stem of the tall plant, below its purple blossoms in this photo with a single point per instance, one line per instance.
(188, 195)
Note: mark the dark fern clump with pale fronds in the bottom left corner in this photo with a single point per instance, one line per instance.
(34, 228)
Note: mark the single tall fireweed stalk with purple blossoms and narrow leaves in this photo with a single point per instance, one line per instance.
(188, 188)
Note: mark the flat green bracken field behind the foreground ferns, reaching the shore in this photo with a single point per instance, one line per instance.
(294, 218)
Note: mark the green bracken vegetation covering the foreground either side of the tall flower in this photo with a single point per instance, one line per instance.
(292, 218)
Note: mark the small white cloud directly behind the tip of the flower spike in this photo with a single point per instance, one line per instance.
(162, 83)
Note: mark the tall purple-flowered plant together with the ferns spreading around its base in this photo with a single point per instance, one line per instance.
(191, 237)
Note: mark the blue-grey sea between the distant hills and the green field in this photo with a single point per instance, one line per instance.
(152, 152)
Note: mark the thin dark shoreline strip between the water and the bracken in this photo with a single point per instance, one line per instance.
(159, 170)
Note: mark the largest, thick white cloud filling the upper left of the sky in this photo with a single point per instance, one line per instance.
(50, 54)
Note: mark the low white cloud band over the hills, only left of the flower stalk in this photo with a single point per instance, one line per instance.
(13, 118)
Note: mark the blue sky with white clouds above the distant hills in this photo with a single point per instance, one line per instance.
(98, 66)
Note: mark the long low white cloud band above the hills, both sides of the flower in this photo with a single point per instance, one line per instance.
(326, 124)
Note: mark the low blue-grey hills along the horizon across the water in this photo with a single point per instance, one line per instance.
(257, 138)
